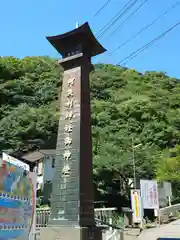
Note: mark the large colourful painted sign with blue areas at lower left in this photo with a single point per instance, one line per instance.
(17, 200)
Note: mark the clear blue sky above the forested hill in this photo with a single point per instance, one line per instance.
(26, 23)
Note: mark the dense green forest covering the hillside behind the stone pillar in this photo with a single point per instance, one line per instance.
(128, 108)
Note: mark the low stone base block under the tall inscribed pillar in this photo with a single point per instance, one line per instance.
(70, 233)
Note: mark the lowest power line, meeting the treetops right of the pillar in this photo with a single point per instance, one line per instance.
(150, 43)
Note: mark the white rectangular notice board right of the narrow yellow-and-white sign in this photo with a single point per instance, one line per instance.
(149, 194)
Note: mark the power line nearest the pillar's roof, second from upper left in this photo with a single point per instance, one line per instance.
(123, 11)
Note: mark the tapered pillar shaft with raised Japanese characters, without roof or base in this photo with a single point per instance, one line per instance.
(72, 200)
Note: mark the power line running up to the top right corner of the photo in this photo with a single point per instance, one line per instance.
(144, 28)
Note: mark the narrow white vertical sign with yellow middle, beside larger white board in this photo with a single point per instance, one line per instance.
(136, 206)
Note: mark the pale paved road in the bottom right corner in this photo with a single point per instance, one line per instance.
(168, 230)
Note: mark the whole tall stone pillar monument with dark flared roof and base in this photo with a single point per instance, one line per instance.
(72, 208)
